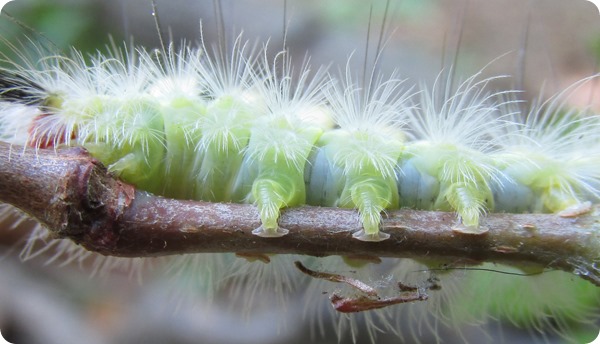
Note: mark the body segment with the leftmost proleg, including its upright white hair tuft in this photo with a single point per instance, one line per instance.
(281, 142)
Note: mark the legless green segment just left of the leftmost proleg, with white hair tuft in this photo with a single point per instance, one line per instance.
(235, 102)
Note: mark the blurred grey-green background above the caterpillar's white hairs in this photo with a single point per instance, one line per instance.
(543, 42)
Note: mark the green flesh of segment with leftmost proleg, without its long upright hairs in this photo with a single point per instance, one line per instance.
(273, 176)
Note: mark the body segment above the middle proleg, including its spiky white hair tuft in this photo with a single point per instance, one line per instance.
(362, 153)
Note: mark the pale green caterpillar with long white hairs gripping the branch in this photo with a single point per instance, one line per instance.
(240, 126)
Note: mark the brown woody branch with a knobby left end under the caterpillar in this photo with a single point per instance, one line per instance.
(74, 196)
